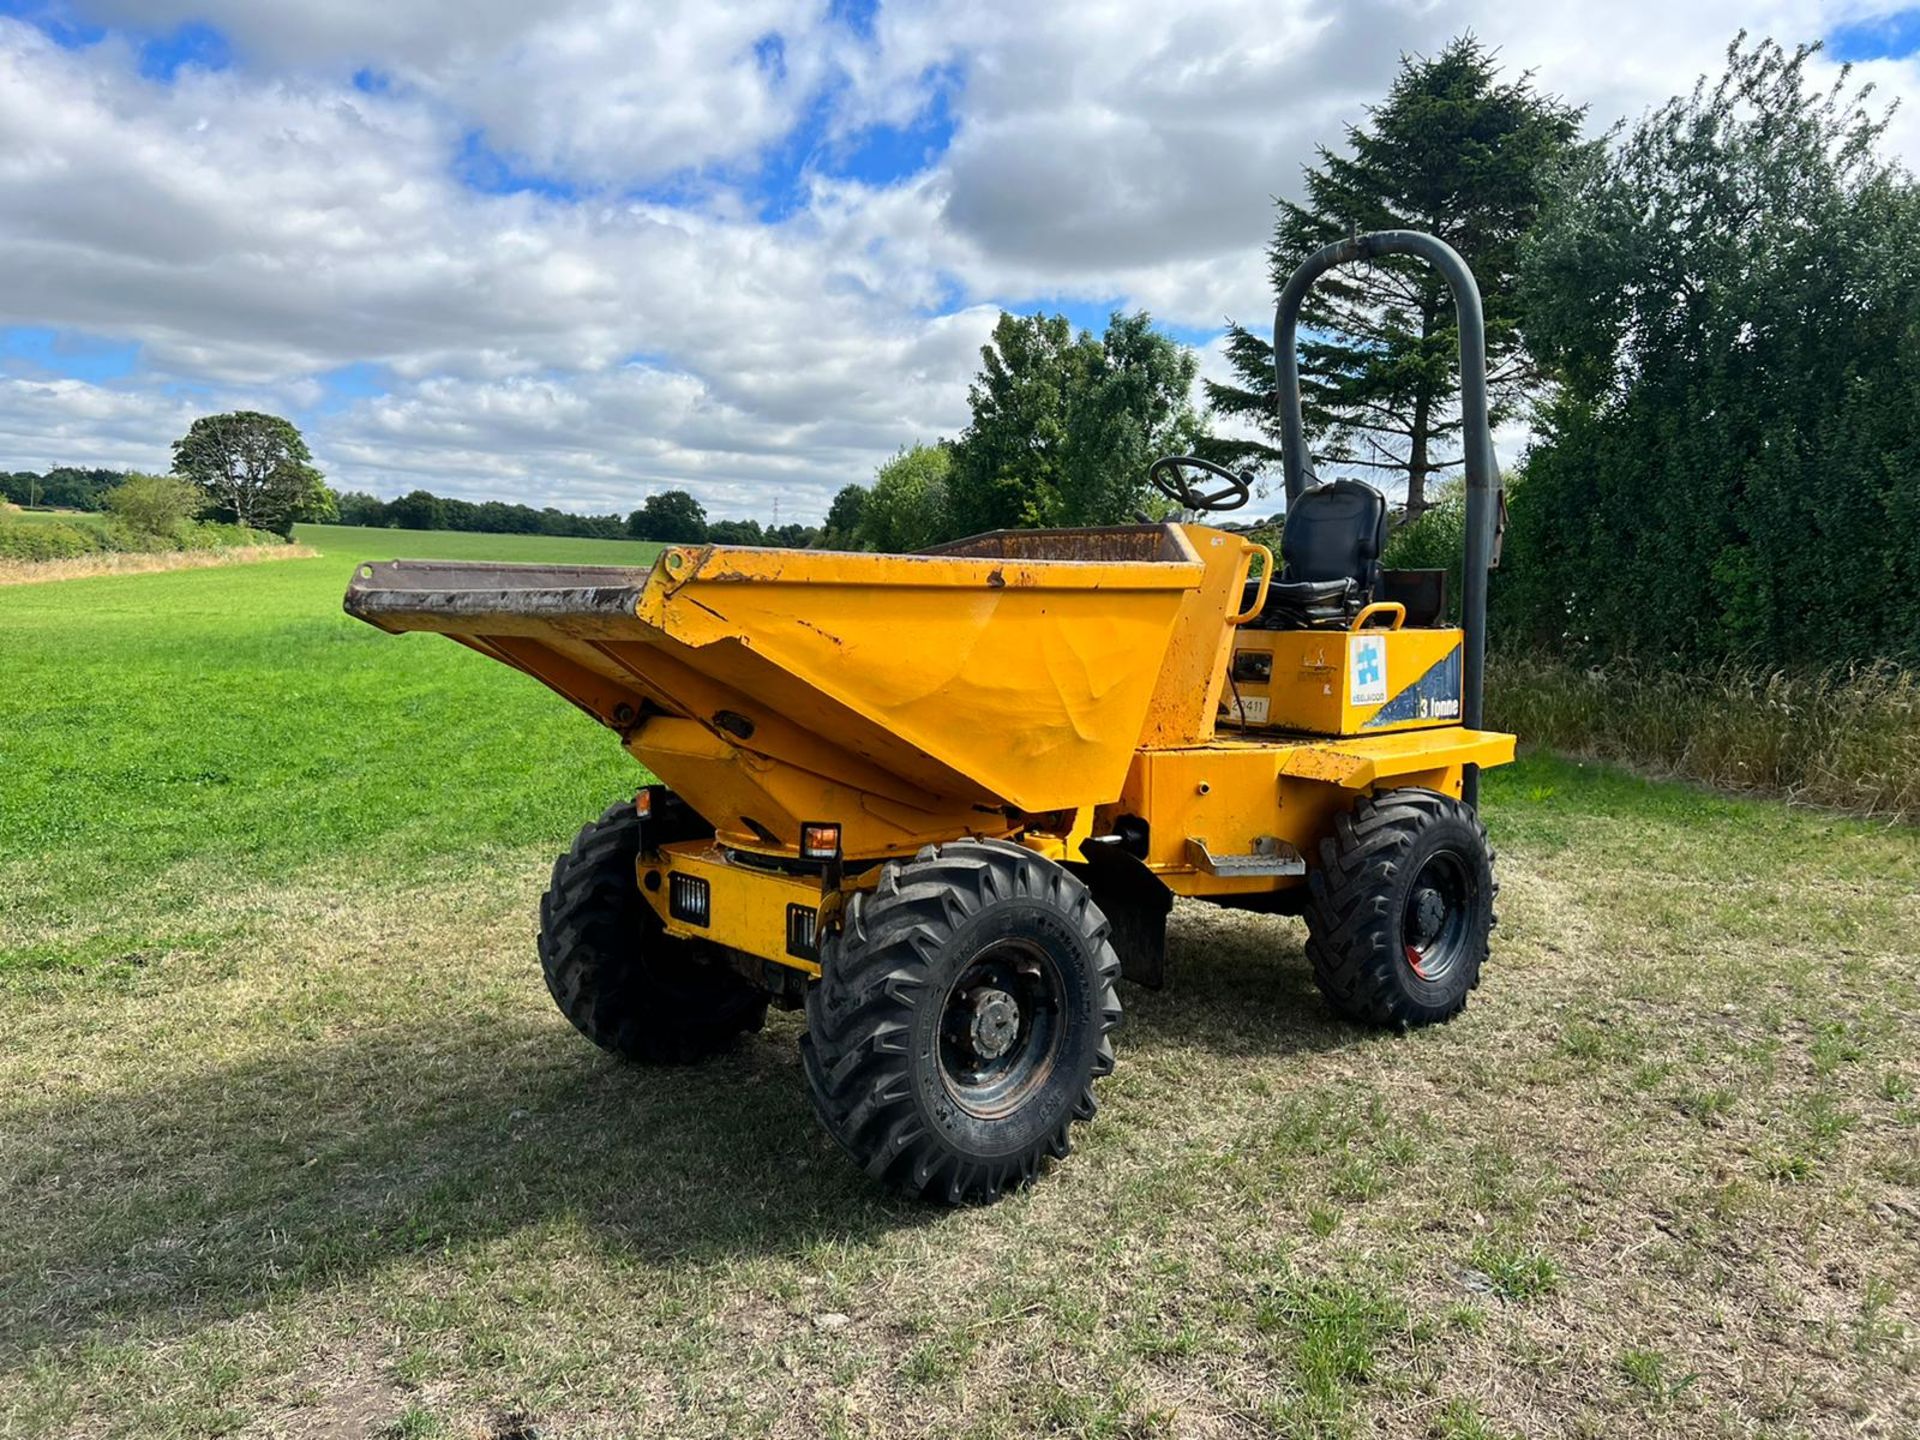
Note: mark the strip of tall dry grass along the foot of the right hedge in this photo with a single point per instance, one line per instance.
(1846, 738)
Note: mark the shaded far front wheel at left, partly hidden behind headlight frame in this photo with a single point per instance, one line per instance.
(612, 967)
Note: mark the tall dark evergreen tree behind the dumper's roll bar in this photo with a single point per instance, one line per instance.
(1456, 153)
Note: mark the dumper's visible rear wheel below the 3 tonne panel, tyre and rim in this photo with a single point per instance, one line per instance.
(1401, 909)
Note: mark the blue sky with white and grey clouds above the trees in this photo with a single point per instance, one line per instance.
(579, 252)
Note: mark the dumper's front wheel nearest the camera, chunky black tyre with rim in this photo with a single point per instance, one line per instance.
(961, 1020)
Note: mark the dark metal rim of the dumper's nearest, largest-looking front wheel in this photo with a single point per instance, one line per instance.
(1001, 1028)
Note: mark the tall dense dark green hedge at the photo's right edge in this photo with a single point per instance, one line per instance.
(1729, 300)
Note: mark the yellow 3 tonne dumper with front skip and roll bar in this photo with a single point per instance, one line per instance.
(944, 802)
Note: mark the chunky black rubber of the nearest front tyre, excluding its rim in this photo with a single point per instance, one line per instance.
(880, 967)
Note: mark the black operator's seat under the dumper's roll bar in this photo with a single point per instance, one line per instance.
(1330, 558)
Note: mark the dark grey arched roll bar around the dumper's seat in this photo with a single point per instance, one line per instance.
(1477, 431)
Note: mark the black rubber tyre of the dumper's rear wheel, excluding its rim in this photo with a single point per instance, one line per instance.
(1355, 946)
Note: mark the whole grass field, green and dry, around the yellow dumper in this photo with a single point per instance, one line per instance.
(293, 1140)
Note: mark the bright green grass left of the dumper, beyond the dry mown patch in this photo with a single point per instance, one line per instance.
(166, 734)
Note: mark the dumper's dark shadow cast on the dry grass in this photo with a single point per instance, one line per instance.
(206, 1197)
